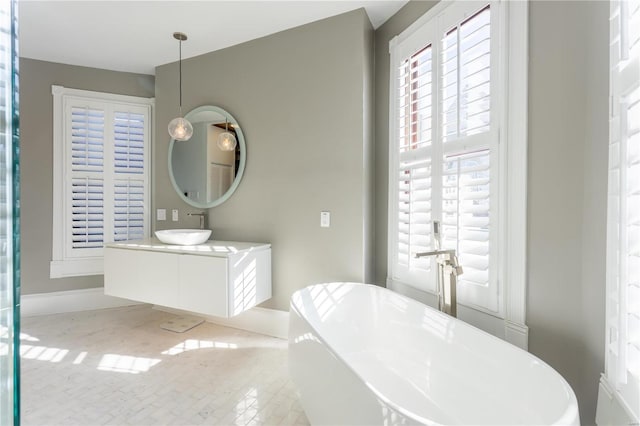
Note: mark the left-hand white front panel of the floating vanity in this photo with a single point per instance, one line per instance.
(144, 276)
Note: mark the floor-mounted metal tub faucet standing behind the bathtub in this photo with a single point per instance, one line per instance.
(448, 271)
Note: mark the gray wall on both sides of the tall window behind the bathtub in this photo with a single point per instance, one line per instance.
(568, 131)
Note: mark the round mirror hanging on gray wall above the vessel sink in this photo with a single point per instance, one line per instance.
(206, 169)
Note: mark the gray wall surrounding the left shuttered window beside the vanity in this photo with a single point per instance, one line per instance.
(36, 160)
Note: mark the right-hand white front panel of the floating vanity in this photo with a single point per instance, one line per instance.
(203, 285)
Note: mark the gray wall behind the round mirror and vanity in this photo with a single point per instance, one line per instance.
(302, 98)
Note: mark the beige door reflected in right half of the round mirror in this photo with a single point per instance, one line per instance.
(221, 165)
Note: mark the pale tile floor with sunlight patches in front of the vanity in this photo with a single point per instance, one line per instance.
(118, 367)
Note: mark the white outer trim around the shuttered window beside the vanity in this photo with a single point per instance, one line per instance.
(61, 266)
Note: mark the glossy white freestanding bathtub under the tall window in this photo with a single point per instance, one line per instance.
(364, 355)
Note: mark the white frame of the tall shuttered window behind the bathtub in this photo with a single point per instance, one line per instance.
(512, 139)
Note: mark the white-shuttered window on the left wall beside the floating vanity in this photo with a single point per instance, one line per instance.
(101, 176)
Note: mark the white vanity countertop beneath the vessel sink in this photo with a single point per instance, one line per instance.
(209, 248)
